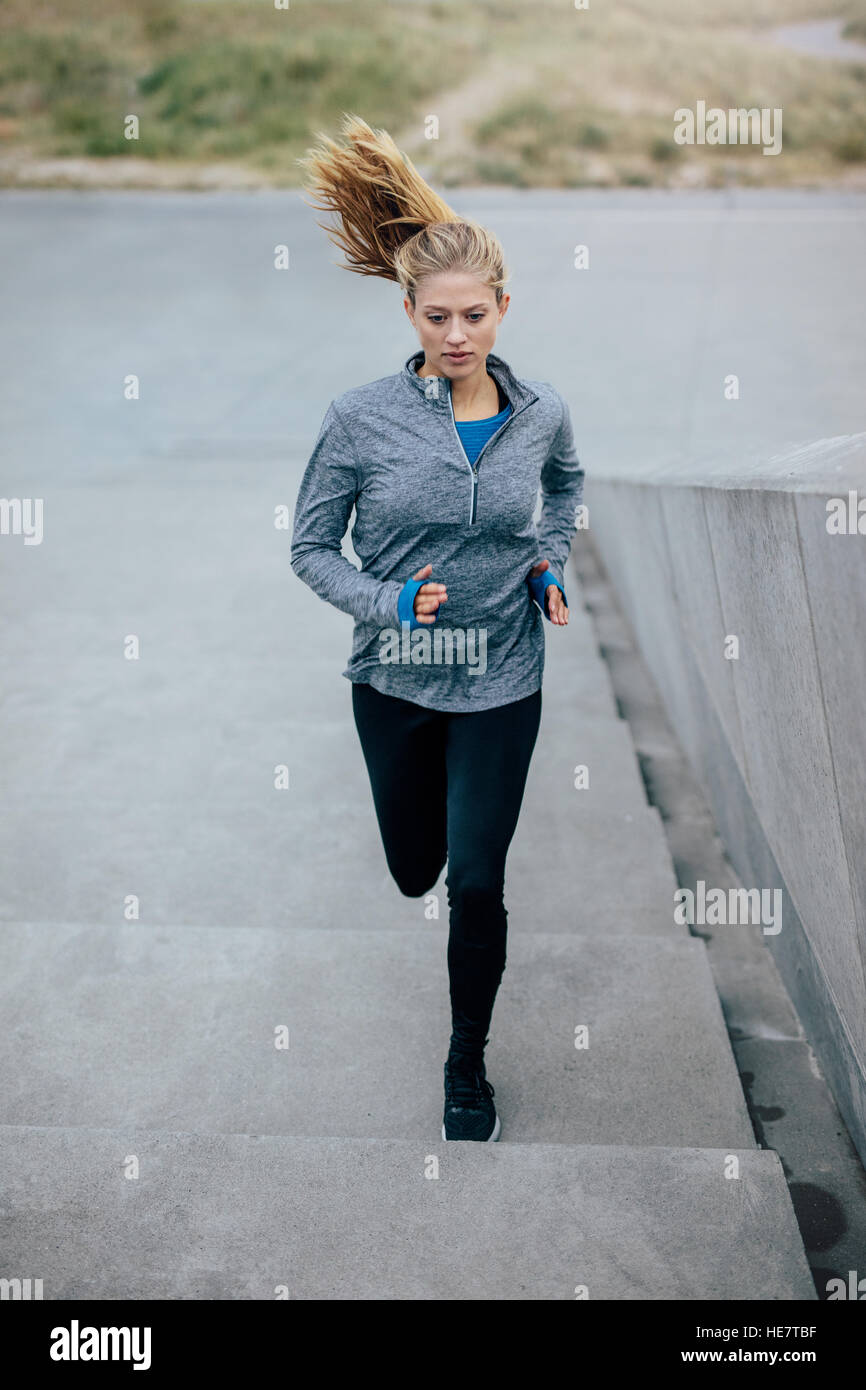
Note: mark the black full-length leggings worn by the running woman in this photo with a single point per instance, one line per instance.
(450, 786)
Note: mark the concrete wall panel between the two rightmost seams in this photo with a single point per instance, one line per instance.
(790, 772)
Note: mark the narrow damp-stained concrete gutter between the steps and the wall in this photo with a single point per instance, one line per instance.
(790, 1103)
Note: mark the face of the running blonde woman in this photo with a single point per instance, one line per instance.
(457, 319)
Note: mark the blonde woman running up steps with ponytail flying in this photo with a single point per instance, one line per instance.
(443, 462)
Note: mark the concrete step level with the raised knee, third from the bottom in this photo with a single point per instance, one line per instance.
(304, 861)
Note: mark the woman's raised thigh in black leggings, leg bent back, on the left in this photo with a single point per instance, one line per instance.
(404, 747)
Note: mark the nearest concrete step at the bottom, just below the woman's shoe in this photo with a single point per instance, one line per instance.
(230, 1217)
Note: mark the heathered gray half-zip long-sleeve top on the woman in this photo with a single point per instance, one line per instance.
(391, 450)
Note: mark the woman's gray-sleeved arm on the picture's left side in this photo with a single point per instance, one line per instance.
(325, 505)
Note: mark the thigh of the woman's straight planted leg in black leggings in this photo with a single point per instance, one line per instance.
(489, 758)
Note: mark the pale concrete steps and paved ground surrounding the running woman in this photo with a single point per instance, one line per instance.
(166, 911)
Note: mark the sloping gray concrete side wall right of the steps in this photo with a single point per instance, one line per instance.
(778, 737)
